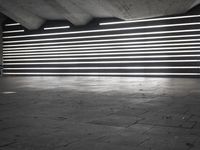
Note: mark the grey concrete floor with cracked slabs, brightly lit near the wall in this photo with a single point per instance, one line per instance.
(99, 113)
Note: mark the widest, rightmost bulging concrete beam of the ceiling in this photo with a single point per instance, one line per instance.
(138, 9)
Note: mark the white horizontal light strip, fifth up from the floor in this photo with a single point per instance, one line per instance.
(102, 54)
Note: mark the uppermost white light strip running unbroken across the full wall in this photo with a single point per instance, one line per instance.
(104, 30)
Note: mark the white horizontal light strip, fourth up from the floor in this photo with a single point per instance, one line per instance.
(98, 58)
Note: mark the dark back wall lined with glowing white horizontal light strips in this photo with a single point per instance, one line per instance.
(166, 47)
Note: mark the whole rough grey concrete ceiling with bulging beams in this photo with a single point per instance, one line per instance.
(33, 13)
